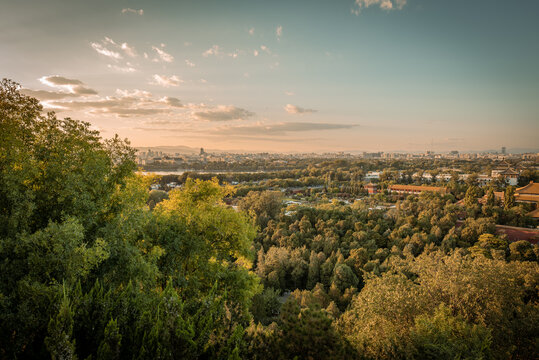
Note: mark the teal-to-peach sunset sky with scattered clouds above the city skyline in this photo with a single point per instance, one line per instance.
(284, 76)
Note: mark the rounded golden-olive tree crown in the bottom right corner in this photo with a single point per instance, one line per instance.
(494, 294)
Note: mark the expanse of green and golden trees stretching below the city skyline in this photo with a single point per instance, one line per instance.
(94, 265)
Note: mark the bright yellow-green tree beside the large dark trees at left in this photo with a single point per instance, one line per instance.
(205, 242)
